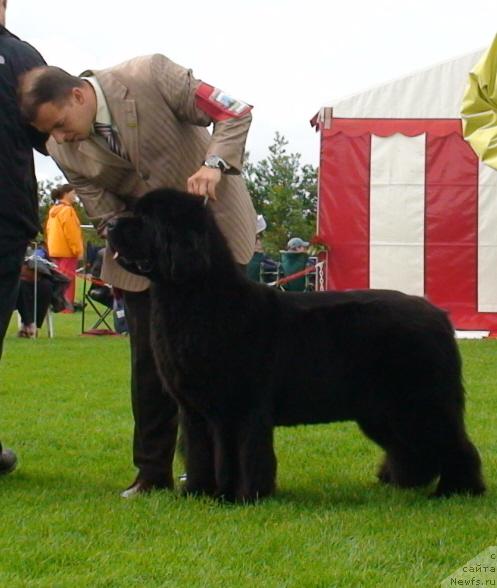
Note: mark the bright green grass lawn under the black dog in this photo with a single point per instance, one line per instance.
(65, 410)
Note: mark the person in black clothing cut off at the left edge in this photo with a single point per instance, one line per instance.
(18, 189)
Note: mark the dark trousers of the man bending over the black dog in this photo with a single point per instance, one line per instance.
(154, 411)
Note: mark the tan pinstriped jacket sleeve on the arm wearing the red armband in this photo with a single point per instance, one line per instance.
(178, 88)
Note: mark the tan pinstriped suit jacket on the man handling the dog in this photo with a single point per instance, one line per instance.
(152, 103)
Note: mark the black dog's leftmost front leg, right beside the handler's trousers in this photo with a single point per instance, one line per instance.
(199, 454)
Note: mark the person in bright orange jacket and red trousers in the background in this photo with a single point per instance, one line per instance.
(64, 236)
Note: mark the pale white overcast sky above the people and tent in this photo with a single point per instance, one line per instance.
(287, 58)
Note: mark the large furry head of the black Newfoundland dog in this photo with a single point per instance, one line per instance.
(166, 240)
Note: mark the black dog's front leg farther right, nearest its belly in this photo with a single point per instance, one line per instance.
(257, 459)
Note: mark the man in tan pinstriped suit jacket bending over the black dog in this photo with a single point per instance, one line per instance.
(117, 134)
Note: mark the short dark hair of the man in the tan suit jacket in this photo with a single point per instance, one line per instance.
(44, 84)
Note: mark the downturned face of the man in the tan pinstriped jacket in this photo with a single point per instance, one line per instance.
(68, 121)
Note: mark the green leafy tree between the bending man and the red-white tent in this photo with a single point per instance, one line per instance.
(285, 192)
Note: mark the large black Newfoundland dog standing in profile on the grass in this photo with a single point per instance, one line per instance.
(241, 358)
